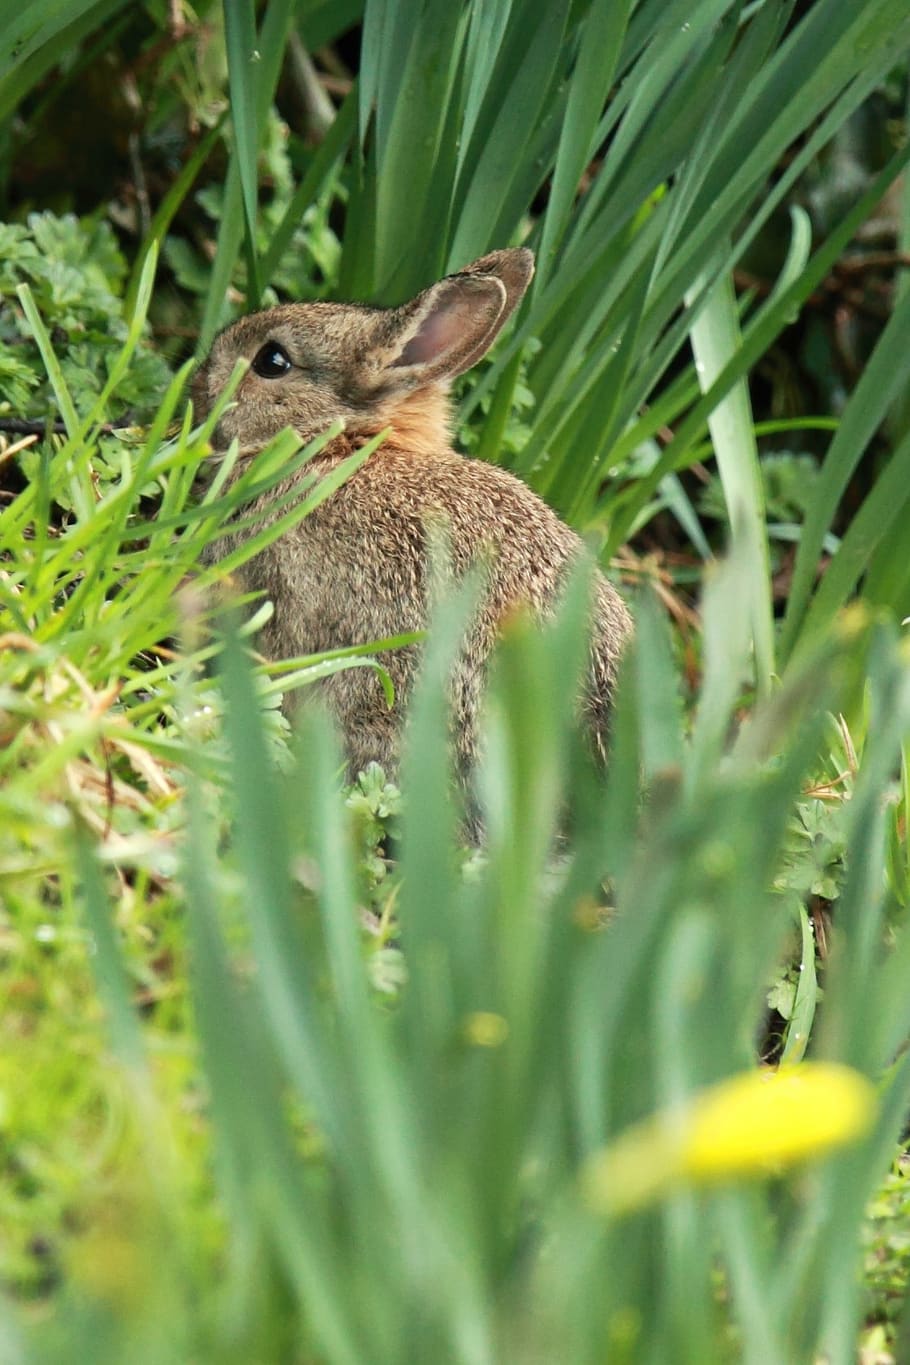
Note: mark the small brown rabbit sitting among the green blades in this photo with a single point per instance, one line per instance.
(357, 569)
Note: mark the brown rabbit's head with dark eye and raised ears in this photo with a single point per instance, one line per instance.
(373, 368)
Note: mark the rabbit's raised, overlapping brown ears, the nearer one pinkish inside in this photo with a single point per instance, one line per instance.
(452, 324)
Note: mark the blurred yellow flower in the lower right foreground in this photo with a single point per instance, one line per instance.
(754, 1124)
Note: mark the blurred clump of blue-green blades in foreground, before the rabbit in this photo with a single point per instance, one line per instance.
(432, 1143)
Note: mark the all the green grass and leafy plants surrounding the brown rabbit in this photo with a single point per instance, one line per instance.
(286, 1074)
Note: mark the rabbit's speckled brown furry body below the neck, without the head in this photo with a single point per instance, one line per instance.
(358, 570)
